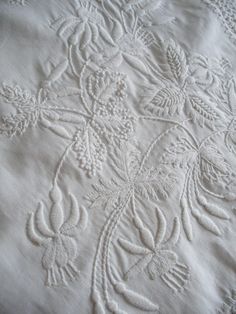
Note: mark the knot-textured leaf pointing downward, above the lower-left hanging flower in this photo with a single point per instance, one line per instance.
(90, 151)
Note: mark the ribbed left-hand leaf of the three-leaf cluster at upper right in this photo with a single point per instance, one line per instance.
(167, 101)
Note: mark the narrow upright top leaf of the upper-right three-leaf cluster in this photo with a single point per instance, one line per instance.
(176, 59)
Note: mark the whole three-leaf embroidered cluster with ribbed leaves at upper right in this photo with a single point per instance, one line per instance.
(179, 90)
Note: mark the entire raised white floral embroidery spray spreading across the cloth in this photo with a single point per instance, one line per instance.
(100, 36)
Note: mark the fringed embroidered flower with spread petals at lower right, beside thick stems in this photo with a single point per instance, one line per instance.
(156, 257)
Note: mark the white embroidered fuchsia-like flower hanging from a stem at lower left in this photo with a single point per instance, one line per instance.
(57, 236)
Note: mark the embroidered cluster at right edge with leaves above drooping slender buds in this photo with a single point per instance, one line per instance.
(206, 172)
